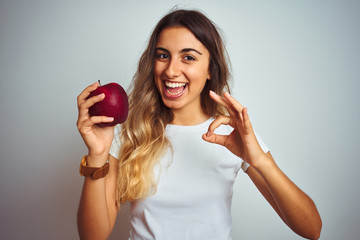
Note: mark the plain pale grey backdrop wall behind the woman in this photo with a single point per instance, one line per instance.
(295, 65)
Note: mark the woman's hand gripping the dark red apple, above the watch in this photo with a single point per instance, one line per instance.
(98, 140)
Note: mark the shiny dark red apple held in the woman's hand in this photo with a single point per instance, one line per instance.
(115, 104)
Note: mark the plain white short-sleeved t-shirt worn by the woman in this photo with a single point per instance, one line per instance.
(195, 189)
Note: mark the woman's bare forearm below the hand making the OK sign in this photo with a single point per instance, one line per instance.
(296, 208)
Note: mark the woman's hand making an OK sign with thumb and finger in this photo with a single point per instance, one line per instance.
(242, 140)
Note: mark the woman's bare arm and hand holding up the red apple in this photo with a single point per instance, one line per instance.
(97, 210)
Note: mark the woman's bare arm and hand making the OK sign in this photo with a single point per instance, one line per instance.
(295, 208)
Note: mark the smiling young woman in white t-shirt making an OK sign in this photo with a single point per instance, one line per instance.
(176, 157)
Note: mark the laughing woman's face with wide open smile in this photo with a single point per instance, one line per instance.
(181, 69)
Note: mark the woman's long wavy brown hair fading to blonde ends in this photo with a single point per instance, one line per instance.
(143, 139)
